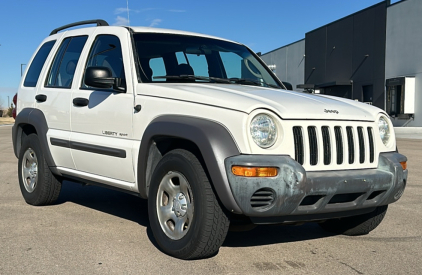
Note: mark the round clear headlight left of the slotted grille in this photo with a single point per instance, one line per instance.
(263, 130)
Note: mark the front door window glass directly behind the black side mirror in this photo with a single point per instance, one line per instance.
(107, 52)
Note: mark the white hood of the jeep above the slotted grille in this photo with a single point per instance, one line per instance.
(287, 104)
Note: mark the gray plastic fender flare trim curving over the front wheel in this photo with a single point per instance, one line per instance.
(213, 140)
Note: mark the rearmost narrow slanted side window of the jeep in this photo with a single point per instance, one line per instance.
(37, 64)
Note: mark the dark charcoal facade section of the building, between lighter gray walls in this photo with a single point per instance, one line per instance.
(346, 58)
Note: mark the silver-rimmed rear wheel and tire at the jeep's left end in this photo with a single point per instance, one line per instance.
(38, 185)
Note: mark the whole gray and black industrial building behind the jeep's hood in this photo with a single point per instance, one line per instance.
(373, 56)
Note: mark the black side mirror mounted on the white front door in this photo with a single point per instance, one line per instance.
(101, 77)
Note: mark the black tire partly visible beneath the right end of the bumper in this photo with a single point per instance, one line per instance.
(356, 225)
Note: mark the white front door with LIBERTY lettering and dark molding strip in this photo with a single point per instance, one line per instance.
(102, 138)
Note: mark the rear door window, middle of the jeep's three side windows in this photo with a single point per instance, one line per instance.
(64, 65)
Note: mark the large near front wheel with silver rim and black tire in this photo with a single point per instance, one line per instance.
(185, 216)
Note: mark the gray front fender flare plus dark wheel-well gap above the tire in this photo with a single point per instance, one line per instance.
(208, 140)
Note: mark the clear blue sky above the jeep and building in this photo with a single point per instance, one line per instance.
(263, 26)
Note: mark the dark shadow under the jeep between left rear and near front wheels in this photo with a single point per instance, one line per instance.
(108, 201)
